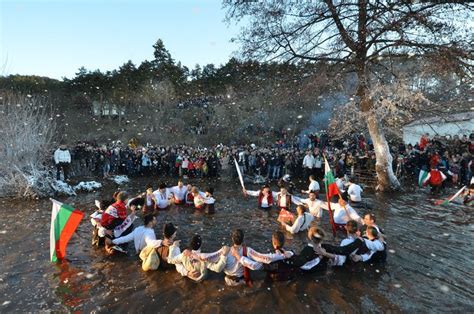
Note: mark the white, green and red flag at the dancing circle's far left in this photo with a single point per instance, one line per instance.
(64, 221)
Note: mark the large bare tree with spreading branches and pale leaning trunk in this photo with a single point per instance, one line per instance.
(355, 36)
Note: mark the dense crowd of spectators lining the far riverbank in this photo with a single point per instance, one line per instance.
(347, 157)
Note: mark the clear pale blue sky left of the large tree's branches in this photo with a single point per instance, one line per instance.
(55, 38)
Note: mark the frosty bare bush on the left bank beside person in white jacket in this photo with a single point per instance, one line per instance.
(26, 136)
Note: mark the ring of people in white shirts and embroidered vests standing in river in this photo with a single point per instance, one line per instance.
(363, 243)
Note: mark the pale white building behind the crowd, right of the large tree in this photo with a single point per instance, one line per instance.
(455, 124)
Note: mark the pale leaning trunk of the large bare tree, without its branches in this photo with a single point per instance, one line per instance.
(385, 176)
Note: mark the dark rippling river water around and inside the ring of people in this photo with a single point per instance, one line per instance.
(429, 269)
